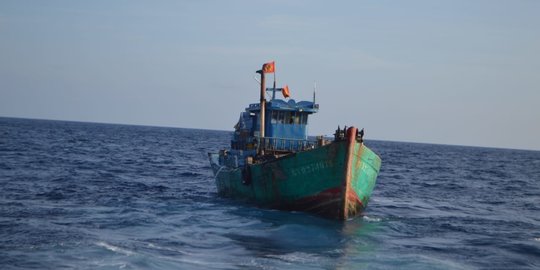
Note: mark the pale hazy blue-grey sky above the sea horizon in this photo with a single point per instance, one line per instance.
(452, 72)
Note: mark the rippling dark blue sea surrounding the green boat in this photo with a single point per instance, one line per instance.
(101, 196)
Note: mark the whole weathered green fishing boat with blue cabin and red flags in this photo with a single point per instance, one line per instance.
(272, 163)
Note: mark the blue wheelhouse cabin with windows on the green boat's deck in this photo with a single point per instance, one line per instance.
(286, 125)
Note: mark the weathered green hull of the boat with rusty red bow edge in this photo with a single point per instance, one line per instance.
(334, 181)
